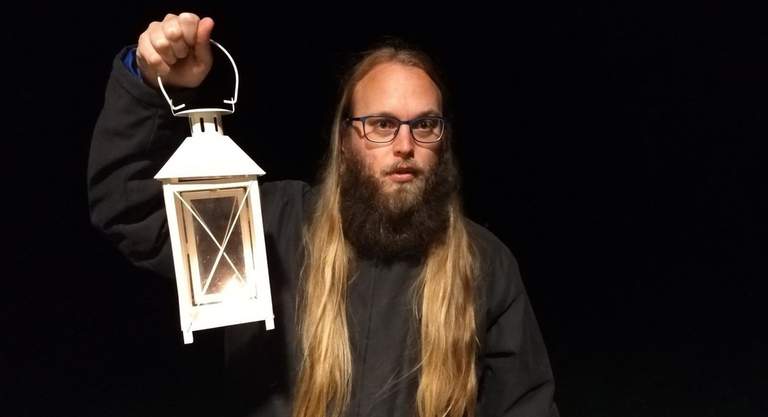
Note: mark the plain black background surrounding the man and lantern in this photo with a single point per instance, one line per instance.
(619, 151)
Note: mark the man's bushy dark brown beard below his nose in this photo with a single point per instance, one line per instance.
(403, 222)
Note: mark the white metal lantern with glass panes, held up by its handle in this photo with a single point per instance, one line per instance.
(214, 219)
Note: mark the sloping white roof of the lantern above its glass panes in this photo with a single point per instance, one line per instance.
(208, 155)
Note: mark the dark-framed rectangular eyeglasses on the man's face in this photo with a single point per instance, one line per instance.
(383, 129)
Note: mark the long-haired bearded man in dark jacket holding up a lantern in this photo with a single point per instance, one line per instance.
(388, 302)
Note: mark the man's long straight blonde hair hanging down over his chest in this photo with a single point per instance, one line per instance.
(445, 291)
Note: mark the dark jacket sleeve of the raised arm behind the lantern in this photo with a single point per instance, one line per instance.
(134, 135)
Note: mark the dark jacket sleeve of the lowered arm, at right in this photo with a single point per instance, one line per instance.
(516, 377)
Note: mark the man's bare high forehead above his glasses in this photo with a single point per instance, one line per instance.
(401, 90)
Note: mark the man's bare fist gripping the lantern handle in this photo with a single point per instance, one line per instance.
(178, 49)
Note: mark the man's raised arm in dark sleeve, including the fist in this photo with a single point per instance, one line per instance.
(135, 134)
